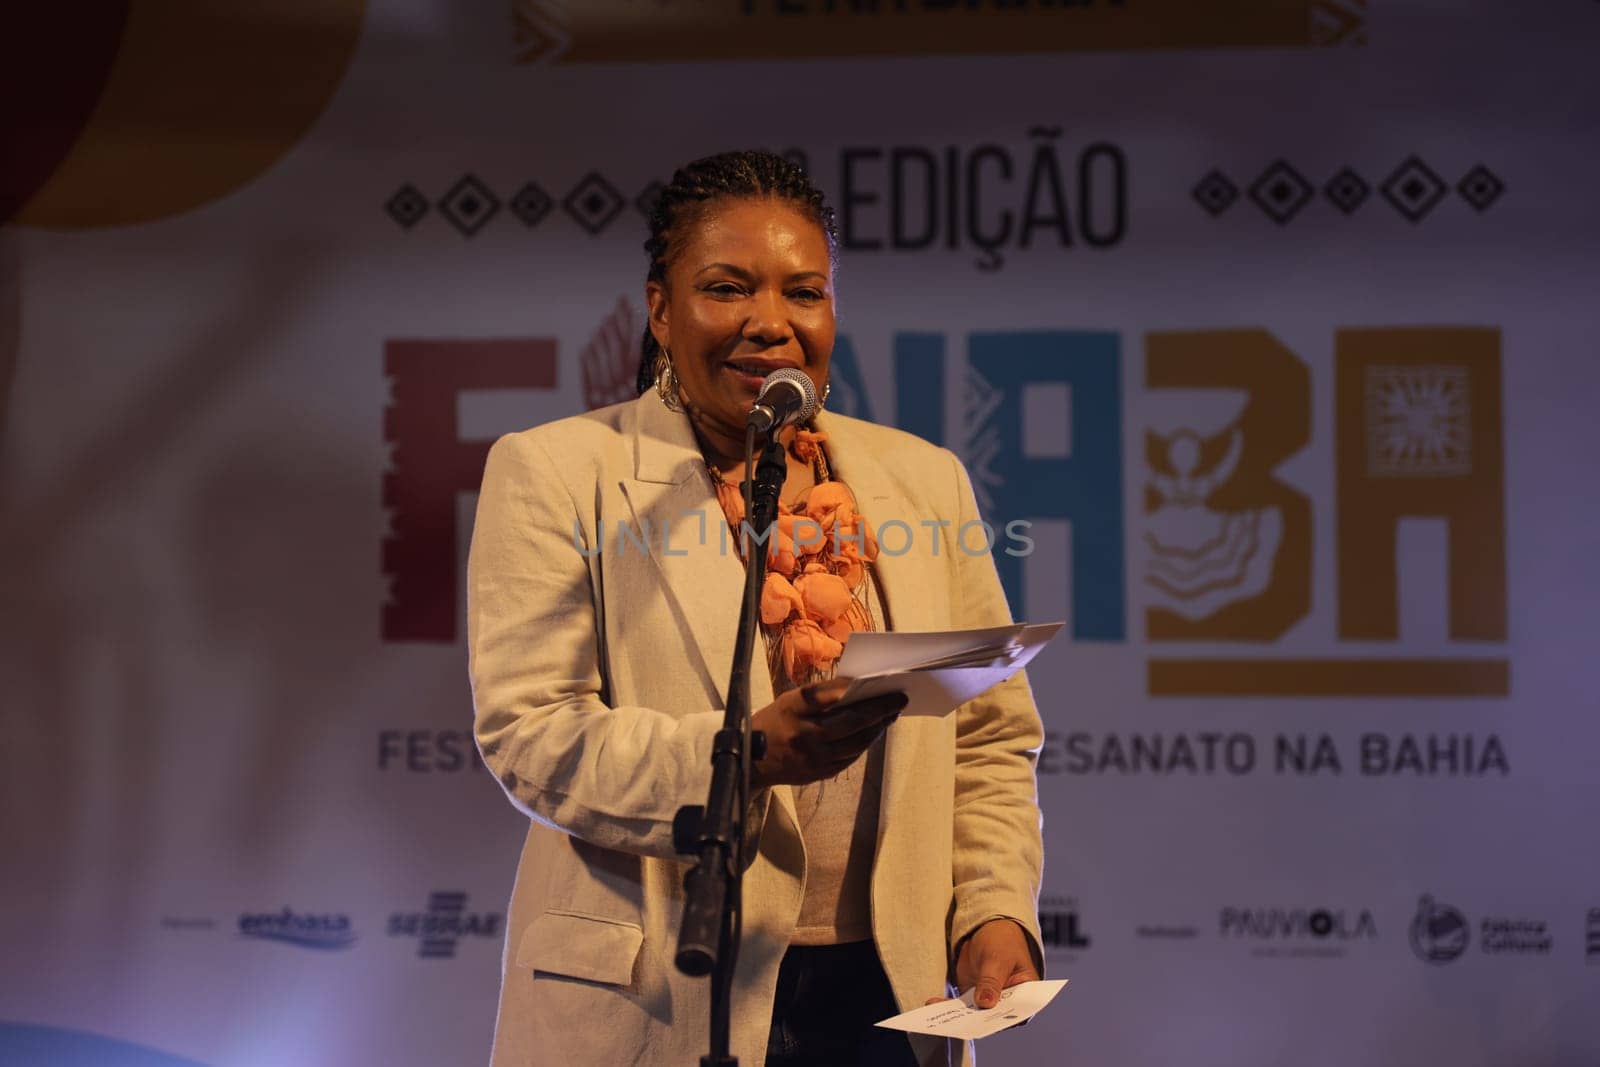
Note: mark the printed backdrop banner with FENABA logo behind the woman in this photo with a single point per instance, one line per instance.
(1274, 324)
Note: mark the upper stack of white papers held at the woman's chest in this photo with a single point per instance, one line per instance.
(916, 663)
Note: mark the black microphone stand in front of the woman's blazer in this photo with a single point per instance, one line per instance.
(710, 937)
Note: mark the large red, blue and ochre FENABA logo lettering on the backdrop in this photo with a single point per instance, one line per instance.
(1231, 487)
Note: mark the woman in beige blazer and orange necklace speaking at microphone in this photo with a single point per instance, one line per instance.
(894, 855)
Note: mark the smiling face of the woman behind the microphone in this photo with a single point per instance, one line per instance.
(751, 290)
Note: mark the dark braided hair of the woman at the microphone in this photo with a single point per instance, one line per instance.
(695, 188)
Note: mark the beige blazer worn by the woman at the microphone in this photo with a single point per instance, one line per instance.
(599, 671)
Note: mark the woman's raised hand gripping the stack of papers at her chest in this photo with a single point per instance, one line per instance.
(812, 737)
